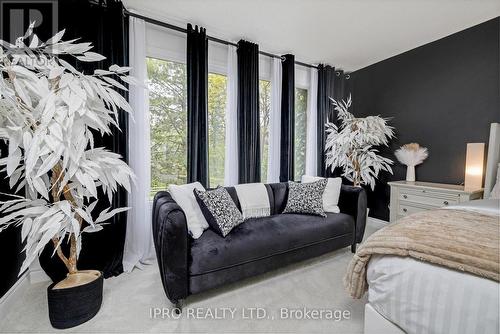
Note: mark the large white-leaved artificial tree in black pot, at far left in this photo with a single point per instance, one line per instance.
(49, 114)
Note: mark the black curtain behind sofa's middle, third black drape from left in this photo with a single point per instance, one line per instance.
(248, 113)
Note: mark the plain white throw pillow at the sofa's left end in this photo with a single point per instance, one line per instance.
(184, 196)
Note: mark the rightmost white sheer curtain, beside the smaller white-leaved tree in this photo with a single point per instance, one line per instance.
(312, 120)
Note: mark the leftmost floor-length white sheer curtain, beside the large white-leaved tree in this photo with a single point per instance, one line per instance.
(139, 238)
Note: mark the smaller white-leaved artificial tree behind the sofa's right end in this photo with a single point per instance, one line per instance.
(351, 145)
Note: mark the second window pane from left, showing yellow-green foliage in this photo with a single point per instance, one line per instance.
(217, 84)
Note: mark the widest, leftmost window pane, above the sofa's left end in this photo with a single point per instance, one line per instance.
(168, 112)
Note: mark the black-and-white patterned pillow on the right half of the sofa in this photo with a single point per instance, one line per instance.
(306, 198)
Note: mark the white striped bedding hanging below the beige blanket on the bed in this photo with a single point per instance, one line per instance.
(424, 298)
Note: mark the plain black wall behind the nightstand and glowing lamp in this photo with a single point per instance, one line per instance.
(442, 95)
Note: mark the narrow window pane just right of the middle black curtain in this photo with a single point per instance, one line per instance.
(265, 111)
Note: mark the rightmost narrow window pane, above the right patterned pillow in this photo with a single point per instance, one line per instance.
(300, 132)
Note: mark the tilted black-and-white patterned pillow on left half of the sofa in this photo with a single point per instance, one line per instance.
(219, 209)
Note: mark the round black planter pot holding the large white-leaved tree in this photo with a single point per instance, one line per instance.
(71, 307)
